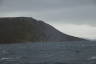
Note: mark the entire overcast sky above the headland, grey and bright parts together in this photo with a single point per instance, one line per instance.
(73, 17)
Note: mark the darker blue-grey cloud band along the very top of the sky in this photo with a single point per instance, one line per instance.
(43, 4)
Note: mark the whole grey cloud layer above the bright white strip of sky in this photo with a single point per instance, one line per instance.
(82, 11)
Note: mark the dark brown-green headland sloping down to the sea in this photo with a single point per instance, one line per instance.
(27, 29)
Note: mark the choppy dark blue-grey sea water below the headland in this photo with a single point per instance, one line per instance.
(48, 53)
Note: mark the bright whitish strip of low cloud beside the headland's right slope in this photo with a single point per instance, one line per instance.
(83, 31)
